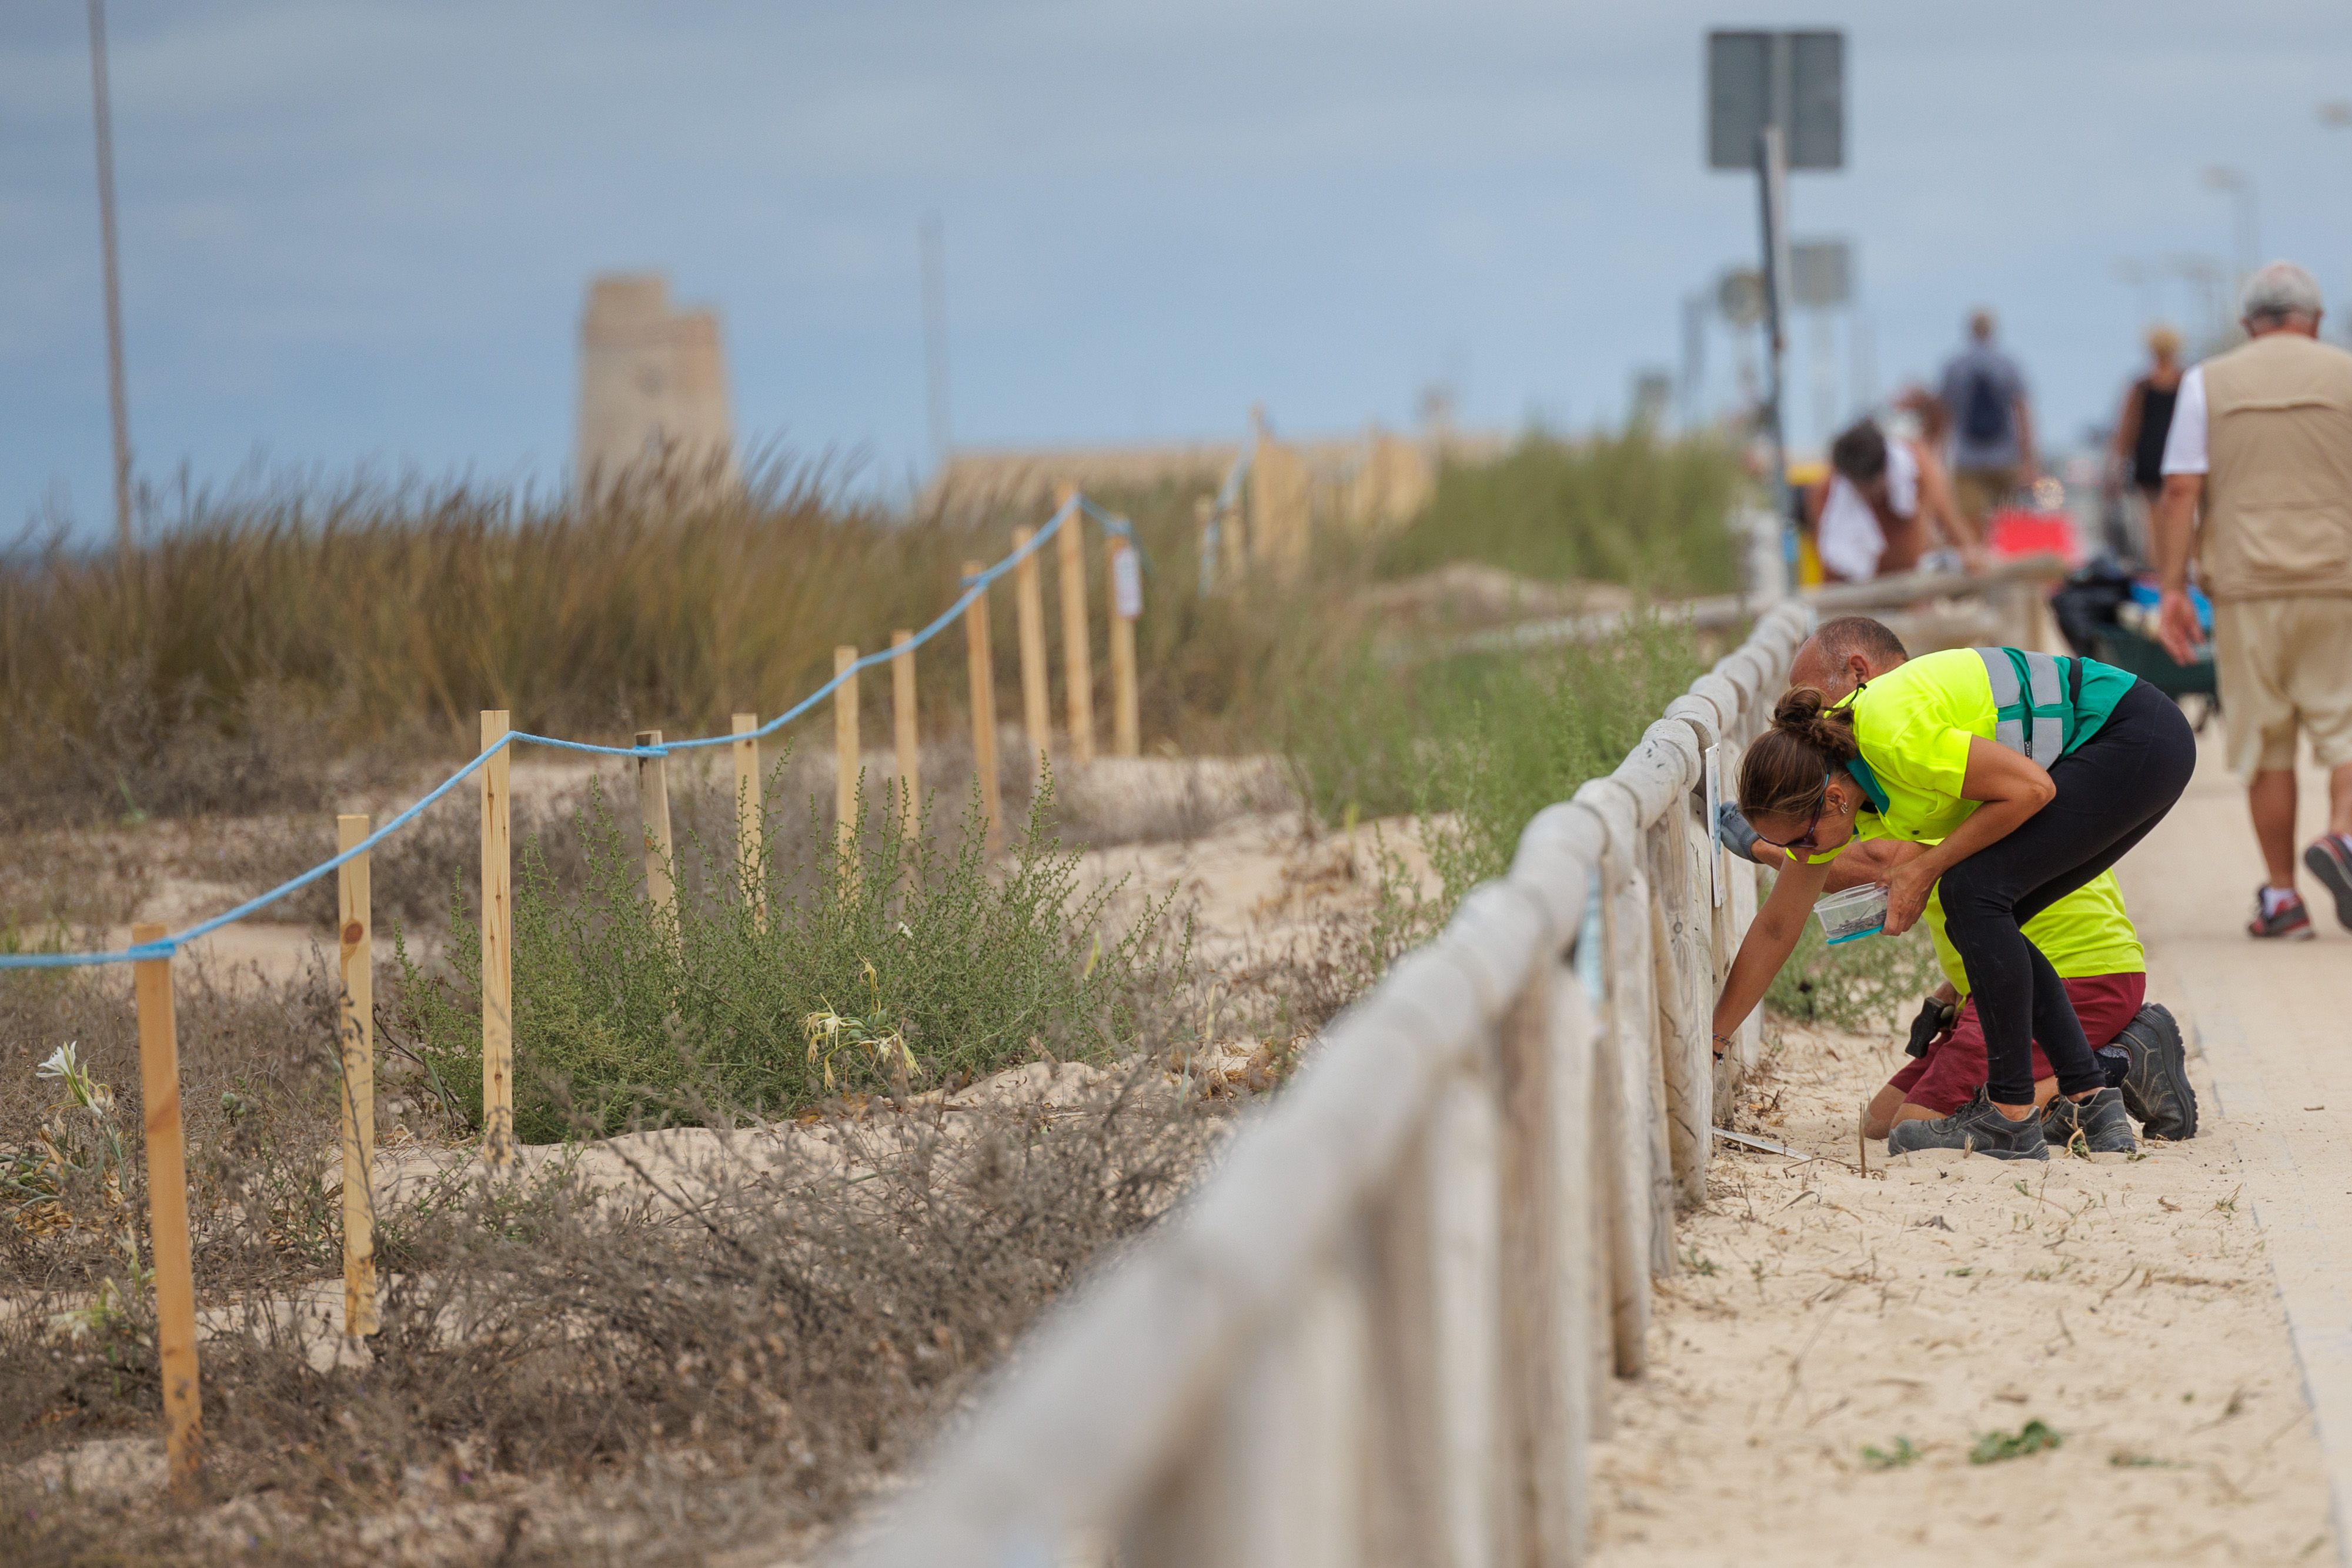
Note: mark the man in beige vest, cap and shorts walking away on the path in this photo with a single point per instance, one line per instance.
(2264, 443)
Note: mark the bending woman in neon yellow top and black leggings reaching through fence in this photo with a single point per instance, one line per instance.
(2026, 777)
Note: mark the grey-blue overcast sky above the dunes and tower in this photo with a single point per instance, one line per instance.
(361, 234)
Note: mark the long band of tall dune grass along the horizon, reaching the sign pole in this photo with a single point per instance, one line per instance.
(262, 643)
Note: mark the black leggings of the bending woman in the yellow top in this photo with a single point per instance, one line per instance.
(2111, 793)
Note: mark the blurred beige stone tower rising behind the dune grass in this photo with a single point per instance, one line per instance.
(653, 387)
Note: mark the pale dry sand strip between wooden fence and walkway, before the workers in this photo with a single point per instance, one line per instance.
(1819, 1313)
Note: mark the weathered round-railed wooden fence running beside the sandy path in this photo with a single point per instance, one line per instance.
(1384, 1329)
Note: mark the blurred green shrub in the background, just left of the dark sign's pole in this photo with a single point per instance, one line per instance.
(1615, 509)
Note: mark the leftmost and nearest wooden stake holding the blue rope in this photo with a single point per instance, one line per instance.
(168, 1214)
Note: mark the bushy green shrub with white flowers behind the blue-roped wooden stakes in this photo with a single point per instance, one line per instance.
(881, 965)
